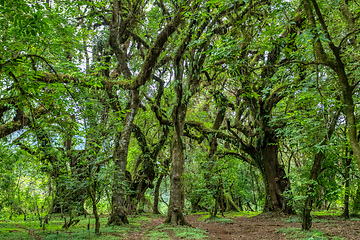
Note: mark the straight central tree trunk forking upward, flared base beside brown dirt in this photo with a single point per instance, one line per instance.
(184, 92)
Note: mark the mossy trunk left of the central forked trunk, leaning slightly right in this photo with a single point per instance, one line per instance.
(118, 209)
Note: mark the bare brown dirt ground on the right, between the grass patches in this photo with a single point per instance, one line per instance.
(267, 227)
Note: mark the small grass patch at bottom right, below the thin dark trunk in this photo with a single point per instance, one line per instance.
(296, 233)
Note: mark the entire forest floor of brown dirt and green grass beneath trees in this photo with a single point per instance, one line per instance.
(235, 225)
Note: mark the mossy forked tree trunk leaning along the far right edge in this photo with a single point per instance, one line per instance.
(335, 58)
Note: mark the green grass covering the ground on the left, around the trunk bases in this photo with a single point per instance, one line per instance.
(20, 230)
